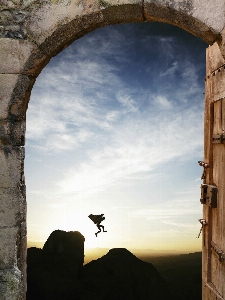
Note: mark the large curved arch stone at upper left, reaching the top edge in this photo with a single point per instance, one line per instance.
(56, 24)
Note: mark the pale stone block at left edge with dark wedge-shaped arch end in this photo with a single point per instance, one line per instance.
(20, 56)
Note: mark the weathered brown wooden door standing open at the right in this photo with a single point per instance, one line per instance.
(213, 246)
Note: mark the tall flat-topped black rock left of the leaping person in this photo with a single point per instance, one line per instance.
(52, 273)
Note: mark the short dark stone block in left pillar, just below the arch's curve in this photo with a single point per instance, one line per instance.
(12, 133)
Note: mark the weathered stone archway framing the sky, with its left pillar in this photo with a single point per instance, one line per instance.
(33, 32)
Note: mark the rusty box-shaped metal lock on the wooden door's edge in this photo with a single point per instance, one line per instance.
(209, 195)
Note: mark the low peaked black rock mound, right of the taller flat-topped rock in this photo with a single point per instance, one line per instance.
(121, 275)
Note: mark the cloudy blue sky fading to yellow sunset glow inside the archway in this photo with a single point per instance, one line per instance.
(115, 126)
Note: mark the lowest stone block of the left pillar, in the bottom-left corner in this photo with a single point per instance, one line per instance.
(10, 285)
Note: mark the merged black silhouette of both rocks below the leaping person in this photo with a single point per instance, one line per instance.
(56, 273)
